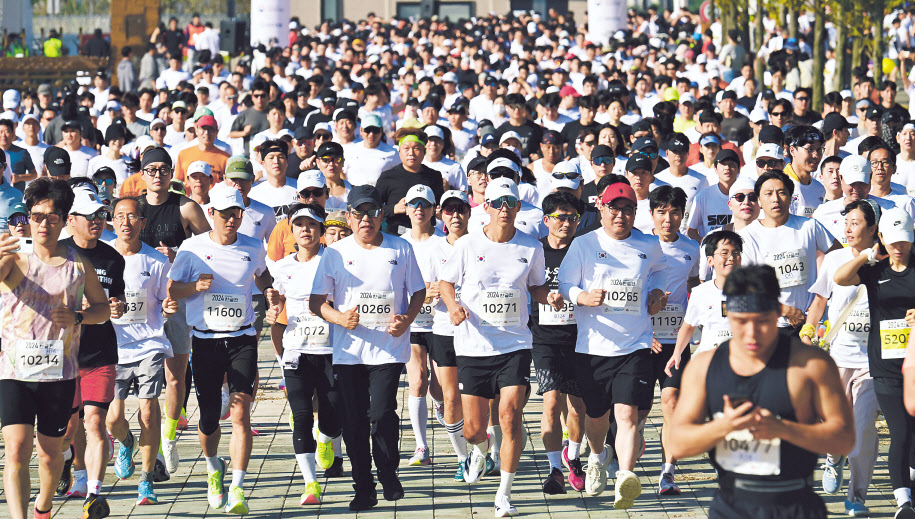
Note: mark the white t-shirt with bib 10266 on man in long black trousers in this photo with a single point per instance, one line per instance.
(381, 281)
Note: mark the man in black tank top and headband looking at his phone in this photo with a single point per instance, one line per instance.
(775, 403)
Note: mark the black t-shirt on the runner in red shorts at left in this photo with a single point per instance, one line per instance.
(98, 344)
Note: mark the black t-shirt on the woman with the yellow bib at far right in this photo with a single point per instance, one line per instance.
(890, 295)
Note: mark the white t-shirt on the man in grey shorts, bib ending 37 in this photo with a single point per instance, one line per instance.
(140, 330)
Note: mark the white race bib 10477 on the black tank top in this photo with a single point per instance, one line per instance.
(739, 452)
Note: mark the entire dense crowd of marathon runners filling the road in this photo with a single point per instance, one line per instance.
(462, 202)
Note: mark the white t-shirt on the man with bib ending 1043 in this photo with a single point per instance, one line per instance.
(792, 250)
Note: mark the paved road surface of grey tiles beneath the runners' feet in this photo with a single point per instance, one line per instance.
(273, 483)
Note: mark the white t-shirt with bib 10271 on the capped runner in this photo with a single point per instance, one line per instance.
(494, 280)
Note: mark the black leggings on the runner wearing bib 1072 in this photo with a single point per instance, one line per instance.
(313, 373)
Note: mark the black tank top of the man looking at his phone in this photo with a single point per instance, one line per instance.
(767, 389)
